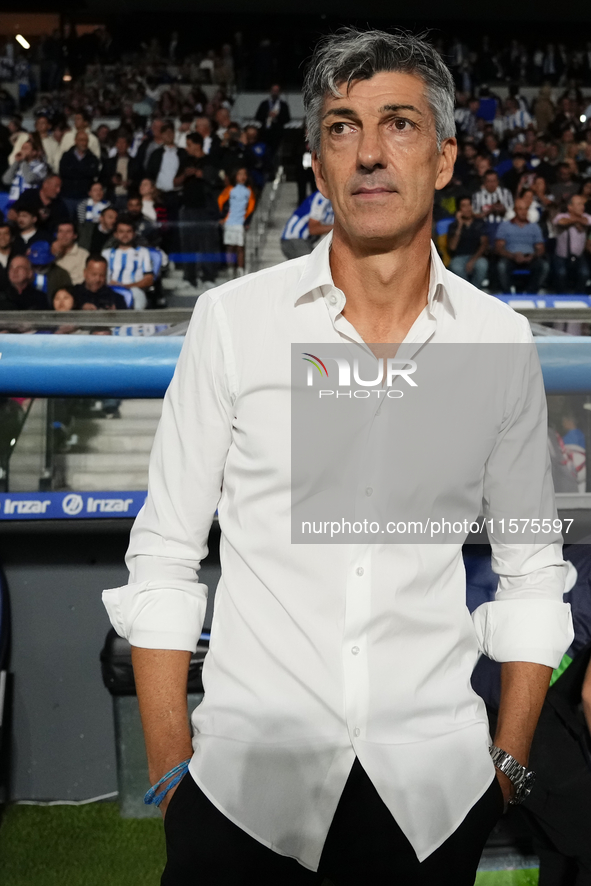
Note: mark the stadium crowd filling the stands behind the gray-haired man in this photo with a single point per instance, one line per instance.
(176, 174)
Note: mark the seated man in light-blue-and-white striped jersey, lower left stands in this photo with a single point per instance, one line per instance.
(129, 266)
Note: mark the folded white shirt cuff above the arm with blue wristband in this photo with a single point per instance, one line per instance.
(153, 617)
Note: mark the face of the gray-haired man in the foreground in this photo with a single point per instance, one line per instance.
(379, 162)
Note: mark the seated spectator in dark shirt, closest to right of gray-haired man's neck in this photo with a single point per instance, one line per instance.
(467, 243)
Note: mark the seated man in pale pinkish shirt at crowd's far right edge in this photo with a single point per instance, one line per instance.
(570, 260)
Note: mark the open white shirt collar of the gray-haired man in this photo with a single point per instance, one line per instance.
(317, 274)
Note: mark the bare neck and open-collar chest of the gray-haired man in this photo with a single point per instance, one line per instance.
(386, 289)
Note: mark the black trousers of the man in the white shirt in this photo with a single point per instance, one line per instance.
(364, 845)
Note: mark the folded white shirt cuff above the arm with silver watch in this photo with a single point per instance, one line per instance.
(538, 631)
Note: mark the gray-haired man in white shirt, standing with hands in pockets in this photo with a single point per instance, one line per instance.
(339, 736)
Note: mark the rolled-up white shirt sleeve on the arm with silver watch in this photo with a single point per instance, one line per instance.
(528, 620)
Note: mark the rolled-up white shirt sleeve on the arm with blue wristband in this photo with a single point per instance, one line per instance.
(163, 605)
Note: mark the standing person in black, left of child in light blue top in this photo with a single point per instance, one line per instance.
(199, 213)
